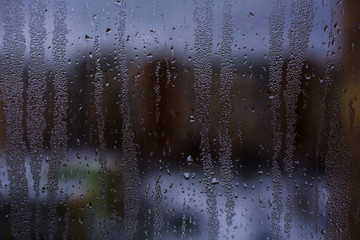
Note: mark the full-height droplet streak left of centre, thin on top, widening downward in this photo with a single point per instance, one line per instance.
(129, 158)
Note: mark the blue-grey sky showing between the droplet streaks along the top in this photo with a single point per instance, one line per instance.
(152, 21)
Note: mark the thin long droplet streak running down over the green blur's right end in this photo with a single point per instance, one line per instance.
(98, 95)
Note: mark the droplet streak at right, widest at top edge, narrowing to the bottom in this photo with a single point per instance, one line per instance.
(302, 15)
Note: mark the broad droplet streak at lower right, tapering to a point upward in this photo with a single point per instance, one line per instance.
(337, 168)
